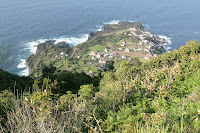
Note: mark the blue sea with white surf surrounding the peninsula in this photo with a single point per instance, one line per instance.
(25, 23)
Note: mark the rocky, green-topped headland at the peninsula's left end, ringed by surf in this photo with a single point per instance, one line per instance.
(46, 54)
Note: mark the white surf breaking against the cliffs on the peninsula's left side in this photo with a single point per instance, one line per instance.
(32, 46)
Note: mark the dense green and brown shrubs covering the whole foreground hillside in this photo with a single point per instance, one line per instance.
(162, 95)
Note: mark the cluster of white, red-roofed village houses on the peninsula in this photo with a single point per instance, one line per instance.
(124, 51)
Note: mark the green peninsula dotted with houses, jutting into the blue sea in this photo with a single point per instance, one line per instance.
(115, 42)
